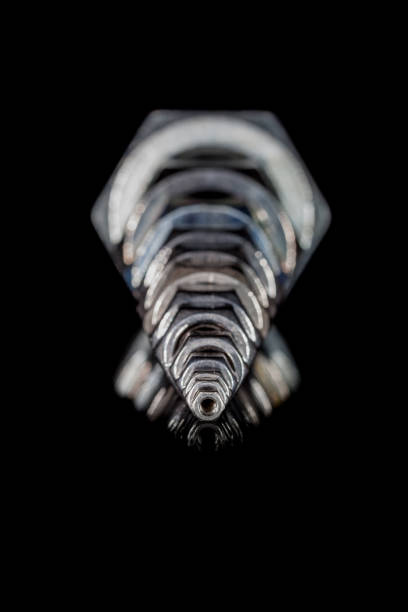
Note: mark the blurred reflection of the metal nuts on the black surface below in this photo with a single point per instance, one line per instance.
(271, 380)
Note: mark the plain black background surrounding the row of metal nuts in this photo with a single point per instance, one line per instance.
(110, 490)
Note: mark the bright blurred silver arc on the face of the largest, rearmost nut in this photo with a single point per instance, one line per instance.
(213, 131)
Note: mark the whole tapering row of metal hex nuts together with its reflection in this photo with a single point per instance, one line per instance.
(210, 218)
